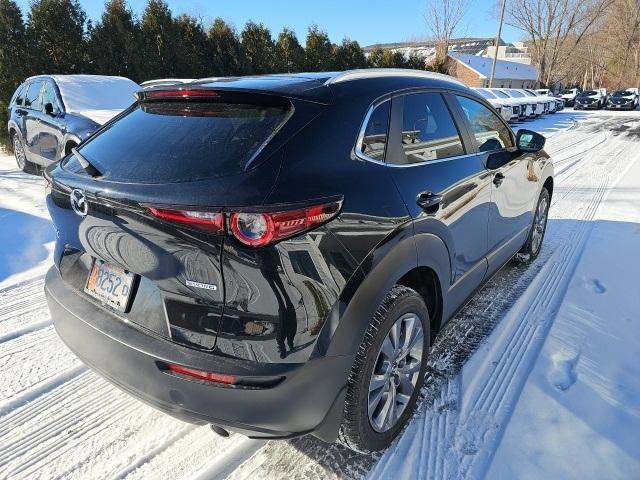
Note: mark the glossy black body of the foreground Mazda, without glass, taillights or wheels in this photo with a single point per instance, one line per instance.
(303, 332)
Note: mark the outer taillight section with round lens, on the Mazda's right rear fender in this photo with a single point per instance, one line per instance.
(260, 229)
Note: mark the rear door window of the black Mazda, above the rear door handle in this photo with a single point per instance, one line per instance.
(428, 130)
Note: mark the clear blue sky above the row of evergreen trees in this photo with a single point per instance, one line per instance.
(367, 21)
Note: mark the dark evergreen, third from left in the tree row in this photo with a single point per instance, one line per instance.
(113, 42)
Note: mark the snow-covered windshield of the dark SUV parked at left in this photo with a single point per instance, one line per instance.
(96, 92)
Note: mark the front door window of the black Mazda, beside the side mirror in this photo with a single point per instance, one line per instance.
(488, 129)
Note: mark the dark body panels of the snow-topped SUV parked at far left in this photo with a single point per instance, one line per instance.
(48, 137)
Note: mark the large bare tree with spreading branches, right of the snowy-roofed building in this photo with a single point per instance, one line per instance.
(554, 28)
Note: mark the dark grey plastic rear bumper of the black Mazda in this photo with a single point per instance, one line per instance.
(308, 399)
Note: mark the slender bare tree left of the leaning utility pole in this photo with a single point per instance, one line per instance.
(443, 18)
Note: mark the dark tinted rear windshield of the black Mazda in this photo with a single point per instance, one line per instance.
(164, 142)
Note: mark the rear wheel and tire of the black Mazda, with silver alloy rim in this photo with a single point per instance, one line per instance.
(396, 375)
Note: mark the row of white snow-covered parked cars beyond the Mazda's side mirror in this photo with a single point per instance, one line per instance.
(515, 104)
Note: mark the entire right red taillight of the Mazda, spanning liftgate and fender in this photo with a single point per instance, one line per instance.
(253, 228)
